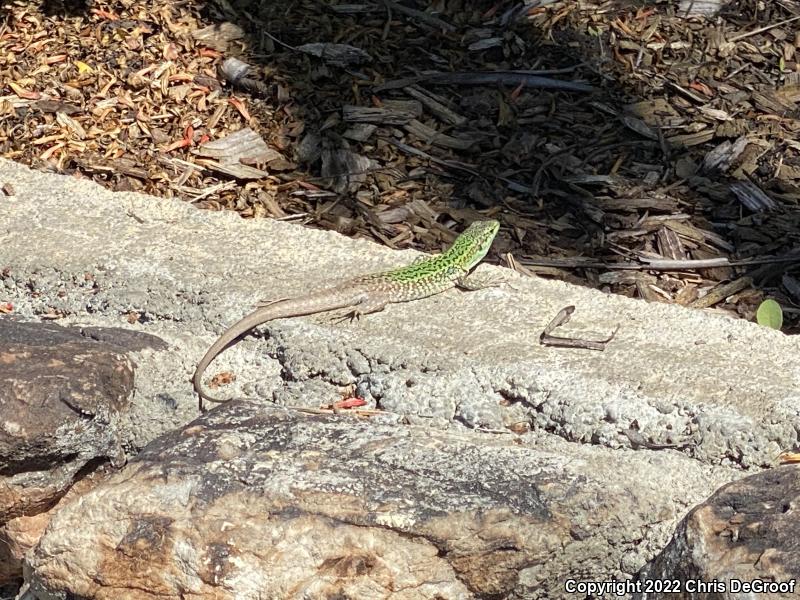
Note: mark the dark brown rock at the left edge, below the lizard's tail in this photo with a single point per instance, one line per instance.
(61, 396)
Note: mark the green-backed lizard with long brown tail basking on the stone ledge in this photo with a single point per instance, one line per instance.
(371, 293)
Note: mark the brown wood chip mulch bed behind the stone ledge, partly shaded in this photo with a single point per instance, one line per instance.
(645, 148)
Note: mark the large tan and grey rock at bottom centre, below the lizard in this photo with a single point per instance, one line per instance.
(257, 502)
